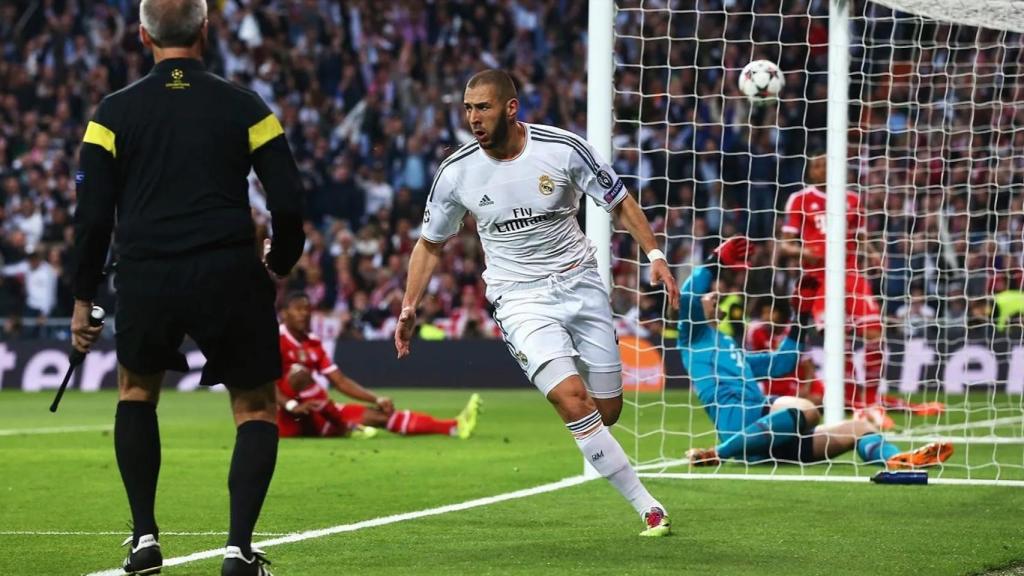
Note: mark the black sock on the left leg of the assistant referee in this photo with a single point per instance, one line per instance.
(137, 443)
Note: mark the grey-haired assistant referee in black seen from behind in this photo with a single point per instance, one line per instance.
(164, 163)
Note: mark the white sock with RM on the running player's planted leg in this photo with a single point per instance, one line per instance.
(607, 456)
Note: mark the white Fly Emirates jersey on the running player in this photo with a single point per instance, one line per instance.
(526, 208)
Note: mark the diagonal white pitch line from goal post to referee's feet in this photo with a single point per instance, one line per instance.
(373, 523)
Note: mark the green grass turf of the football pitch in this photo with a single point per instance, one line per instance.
(69, 482)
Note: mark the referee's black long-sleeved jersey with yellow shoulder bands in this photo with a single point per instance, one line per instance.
(168, 159)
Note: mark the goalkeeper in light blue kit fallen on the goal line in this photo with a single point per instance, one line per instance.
(754, 428)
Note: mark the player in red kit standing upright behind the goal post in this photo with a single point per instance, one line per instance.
(804, 237)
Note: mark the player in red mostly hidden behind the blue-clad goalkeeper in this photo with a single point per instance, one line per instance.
(766, 335)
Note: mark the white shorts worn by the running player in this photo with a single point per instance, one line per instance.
(565, 315)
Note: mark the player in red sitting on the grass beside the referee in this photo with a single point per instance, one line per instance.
(306, 409)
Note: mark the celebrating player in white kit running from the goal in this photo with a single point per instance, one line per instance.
(524, 184)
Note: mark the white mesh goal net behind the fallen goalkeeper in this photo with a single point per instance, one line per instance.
(936, 162)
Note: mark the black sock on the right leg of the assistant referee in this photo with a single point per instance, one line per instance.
(252, 468)
